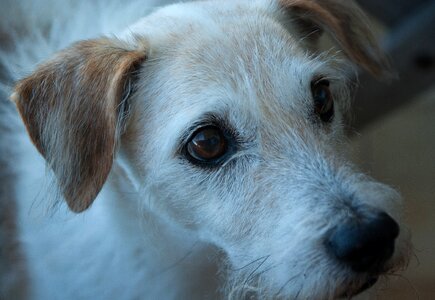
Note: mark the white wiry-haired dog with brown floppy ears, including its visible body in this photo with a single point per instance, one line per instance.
(196, 152)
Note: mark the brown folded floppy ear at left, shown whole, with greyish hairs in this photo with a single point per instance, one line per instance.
(72, 107)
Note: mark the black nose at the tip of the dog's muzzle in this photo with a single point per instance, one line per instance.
(365, 245)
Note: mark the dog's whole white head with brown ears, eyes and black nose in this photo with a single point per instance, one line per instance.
(231, 119)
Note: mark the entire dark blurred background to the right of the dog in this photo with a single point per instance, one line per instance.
(395, 132)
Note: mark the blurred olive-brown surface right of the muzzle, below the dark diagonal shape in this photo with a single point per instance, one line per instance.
(400, 150)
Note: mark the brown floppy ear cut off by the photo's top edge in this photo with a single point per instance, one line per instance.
(347, 24)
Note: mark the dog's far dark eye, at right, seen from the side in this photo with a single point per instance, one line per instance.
(323, 101)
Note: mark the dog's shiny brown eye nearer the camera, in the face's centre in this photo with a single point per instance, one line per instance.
(207, 145)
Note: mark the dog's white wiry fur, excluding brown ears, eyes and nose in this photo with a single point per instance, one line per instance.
(162, 229)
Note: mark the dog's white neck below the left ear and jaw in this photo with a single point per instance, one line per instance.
(136, 253)
